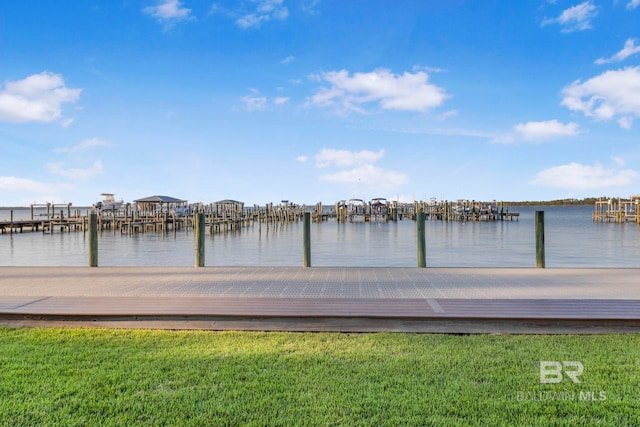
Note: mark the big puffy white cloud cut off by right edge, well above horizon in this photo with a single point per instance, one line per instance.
(612, 93)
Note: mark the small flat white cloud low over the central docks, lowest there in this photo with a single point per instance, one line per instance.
(370, 175)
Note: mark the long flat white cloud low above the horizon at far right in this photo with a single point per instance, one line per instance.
(575, 176)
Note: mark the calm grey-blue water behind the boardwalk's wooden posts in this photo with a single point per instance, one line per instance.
(572, 240)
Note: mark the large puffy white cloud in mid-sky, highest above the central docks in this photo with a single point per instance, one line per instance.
(406, 92)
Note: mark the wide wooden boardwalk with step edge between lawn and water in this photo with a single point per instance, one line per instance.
(451, 300)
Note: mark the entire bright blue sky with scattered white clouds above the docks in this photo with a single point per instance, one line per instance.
(318, 100)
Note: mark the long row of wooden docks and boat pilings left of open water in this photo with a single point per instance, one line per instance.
(230, 215)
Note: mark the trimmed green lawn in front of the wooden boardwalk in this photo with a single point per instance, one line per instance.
(132, 377)
